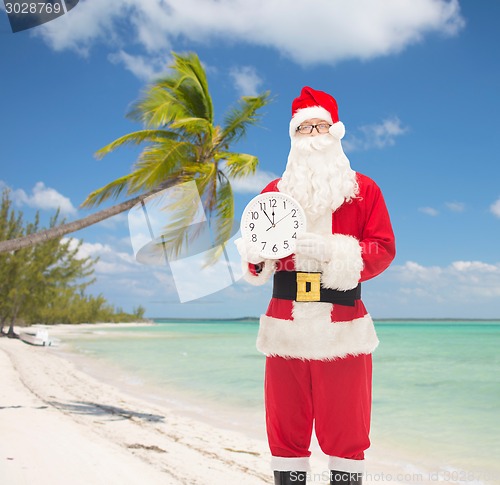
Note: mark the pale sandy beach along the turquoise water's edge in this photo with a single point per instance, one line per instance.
(60, 425)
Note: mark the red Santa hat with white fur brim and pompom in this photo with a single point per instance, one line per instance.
(316, 104)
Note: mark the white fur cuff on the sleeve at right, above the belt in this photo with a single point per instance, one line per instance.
(343, 270)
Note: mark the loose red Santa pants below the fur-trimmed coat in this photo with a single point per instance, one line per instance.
(334, 395)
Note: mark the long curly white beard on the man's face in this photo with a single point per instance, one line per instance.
(318, 175)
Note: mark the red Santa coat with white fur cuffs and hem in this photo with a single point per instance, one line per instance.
(362, 242)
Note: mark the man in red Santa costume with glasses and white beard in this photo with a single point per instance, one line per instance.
(318, 364)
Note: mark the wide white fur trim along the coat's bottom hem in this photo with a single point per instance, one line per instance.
(316, 338)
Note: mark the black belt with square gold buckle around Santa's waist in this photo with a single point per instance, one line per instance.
(294, 285)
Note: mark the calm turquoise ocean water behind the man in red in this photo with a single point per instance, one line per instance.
(436, 389)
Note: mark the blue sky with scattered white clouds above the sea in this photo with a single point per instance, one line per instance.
(418, 88)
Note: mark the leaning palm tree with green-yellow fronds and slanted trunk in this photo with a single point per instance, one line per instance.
(182, 144)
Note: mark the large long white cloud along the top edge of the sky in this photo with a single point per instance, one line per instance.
(359, 29)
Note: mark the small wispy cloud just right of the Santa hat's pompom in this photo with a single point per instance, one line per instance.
(377, 135)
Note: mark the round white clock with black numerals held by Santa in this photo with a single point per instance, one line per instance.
(271, 222)
